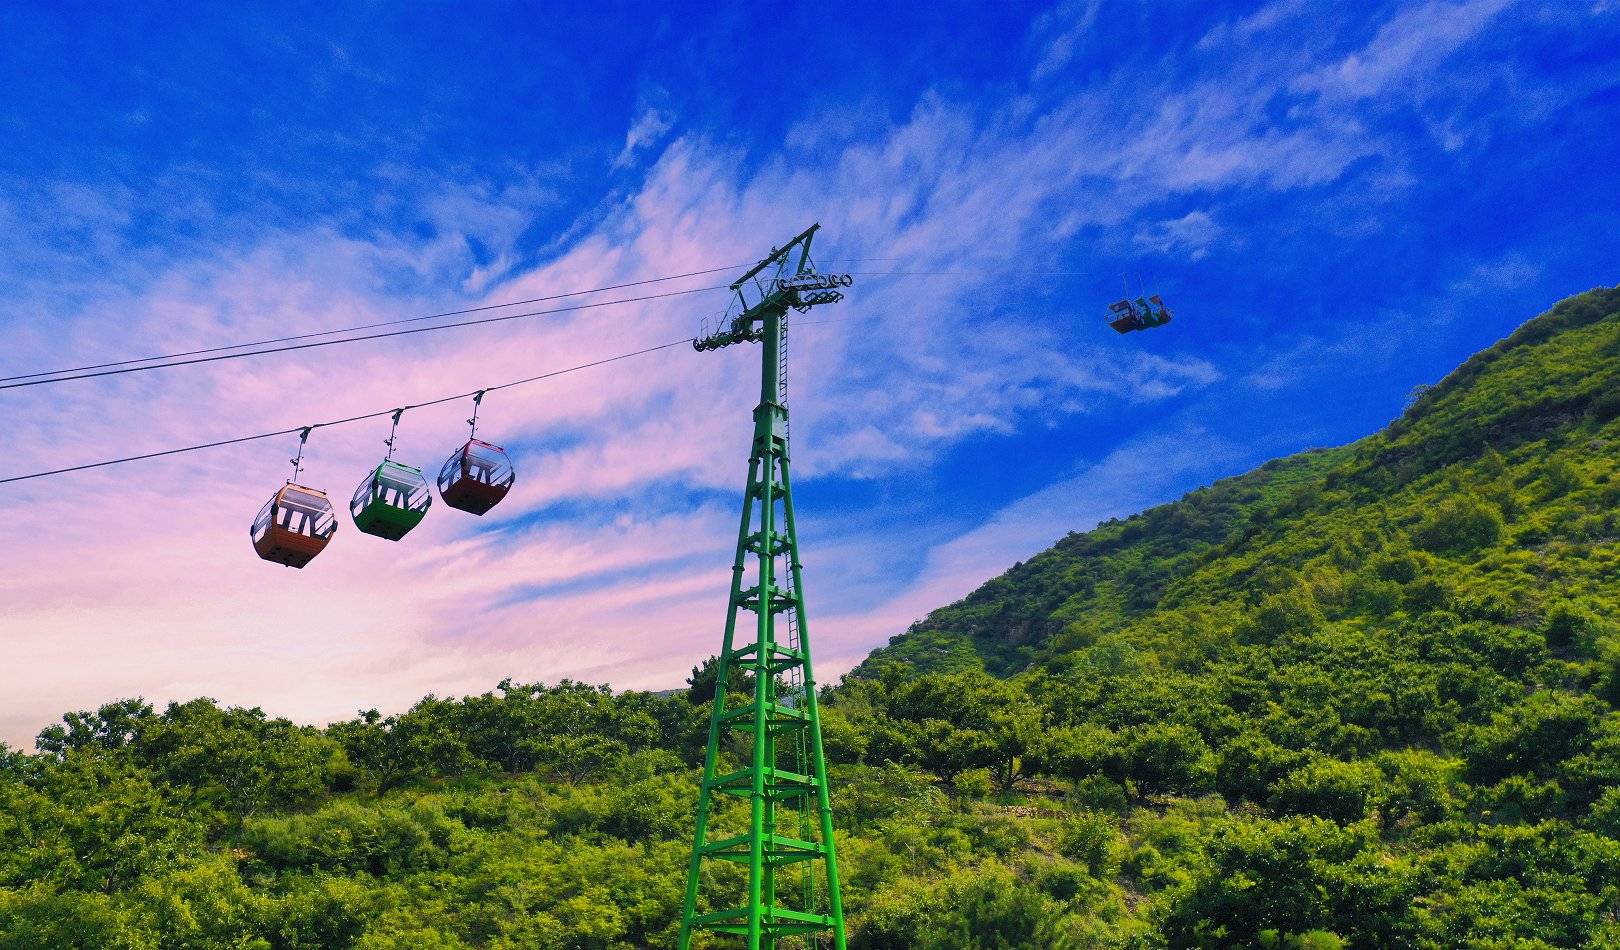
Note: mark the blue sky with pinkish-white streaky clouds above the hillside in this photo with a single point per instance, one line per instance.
(1339, 202)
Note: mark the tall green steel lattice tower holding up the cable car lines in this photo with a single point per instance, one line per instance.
(788, 847)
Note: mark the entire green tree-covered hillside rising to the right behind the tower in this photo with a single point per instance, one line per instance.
(1358, 698)
